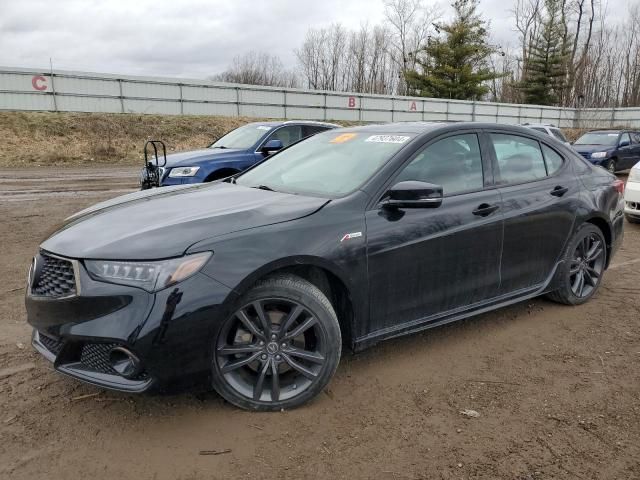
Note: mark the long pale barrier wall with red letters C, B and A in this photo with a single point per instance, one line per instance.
(30, 89)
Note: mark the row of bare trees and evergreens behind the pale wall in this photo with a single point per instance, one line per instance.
(564, 52)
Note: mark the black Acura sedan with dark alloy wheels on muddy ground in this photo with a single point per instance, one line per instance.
(254, 284)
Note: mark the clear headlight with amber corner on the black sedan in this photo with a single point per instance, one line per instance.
(150, 276)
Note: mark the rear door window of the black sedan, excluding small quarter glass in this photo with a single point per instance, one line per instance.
(519, 158)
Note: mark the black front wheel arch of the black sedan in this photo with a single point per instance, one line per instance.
(325, 275)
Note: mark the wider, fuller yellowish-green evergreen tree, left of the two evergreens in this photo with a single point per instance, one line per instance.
(455, 65)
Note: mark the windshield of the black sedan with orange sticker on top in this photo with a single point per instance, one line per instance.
(328, 164)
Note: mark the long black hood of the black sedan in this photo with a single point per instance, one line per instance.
(164, 222)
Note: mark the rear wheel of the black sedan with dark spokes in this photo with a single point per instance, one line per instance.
(584, 262)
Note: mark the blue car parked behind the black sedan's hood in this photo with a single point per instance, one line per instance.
(236, 151)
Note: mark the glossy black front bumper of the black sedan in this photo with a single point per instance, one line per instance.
(169, 331)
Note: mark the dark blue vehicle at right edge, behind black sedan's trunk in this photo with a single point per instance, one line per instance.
(612, 149)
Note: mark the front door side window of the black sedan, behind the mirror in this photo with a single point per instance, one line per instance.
(454, 163)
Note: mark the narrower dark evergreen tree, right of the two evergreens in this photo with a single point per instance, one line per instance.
(546, 67)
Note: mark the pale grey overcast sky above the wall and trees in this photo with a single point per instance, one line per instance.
(186, 38)
